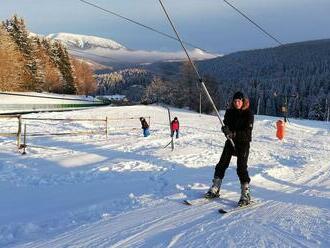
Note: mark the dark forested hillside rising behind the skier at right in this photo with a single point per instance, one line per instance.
(295, 75)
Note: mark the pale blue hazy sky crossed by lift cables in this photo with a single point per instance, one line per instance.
(210, 24)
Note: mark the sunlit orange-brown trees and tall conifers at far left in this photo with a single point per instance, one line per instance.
(31, 63)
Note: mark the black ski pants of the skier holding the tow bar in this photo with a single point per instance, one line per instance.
(242, 152)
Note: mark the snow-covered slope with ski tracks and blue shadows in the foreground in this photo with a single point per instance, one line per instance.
(127, 191)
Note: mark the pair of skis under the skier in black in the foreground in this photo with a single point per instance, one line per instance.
(203, 200)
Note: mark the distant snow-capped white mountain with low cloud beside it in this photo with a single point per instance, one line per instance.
(107, 51)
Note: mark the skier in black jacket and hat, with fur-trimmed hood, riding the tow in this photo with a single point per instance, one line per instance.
(238, 124)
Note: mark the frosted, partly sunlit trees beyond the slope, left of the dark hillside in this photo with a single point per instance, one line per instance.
(141, 85)
